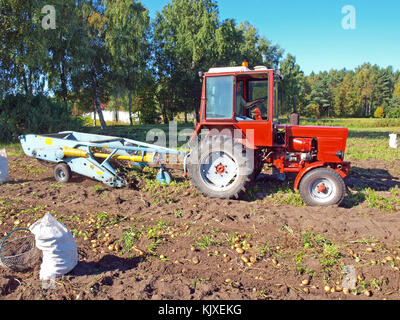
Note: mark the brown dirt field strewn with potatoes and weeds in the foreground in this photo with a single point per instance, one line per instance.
(155, 242)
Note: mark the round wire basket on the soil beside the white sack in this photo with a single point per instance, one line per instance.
(18, 250)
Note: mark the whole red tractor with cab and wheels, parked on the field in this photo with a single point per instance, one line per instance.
(238, 116)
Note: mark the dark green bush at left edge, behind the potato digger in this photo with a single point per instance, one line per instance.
(39, 114)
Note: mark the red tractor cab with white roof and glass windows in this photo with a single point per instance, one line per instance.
(243, 98)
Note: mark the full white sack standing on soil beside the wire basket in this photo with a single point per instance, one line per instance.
(60, 253)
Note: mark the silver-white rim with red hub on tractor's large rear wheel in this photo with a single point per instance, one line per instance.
(219, 171)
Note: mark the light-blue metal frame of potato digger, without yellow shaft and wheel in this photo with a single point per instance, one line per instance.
(50, 147)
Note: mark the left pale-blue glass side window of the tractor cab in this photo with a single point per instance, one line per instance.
(219, 97)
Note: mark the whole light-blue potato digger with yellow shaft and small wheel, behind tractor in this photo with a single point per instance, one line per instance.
(91, 155)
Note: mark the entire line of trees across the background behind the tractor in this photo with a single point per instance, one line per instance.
(111, 53)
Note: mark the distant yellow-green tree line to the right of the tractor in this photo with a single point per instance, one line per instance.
(367, 91)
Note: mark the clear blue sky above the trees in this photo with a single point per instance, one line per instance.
(312, 29)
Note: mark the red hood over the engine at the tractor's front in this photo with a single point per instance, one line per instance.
(331, 141)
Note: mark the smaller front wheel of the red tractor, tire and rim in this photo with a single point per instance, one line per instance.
(322, 187)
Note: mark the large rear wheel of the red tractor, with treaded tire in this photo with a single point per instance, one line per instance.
(234, 158)
